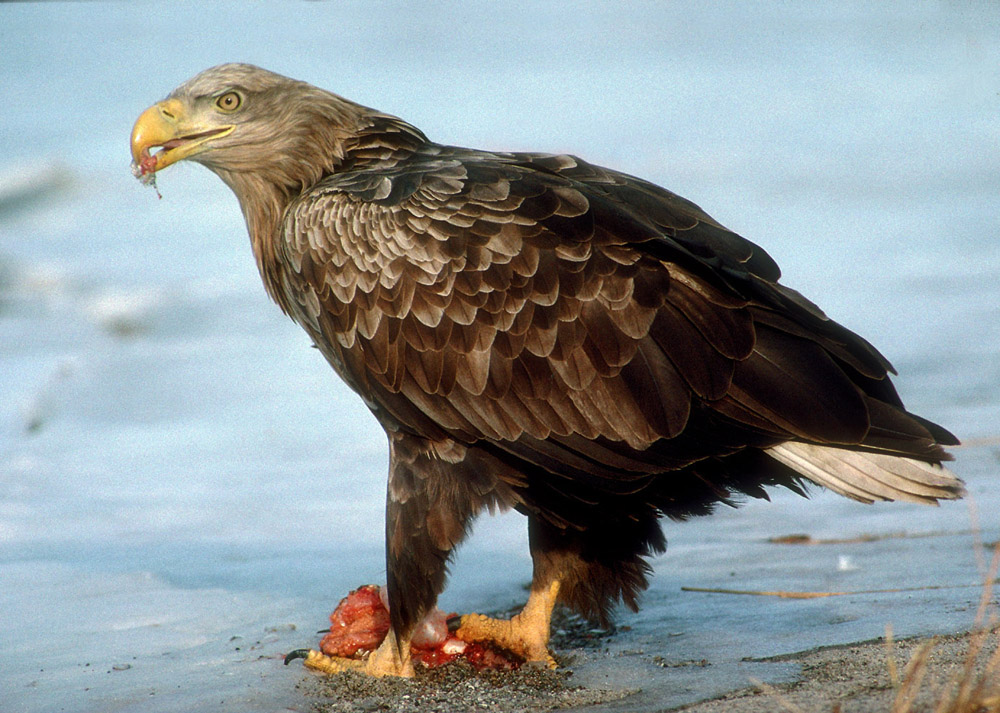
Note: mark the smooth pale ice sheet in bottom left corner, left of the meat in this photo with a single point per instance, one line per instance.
(82, 641)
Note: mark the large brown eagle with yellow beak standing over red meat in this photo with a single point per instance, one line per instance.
(539, 333)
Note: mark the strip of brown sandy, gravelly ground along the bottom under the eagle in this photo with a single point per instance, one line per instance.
(865, 676)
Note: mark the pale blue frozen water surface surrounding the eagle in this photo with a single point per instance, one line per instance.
(185, 487)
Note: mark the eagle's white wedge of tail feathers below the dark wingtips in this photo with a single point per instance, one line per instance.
(868, 476)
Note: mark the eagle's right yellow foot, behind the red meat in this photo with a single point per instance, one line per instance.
(525, 634)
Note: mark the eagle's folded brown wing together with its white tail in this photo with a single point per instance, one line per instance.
(515, 299)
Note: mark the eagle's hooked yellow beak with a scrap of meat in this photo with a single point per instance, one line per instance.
(167, 125)
